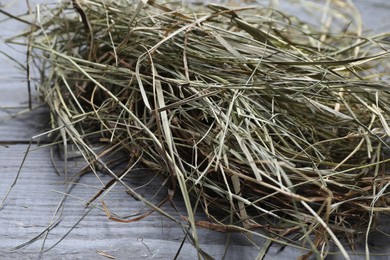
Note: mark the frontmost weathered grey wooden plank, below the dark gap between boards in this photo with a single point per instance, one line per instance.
(38, 191)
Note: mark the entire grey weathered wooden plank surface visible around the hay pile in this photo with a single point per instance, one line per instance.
(39, 189)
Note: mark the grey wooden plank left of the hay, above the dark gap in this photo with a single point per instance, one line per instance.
(17, 124)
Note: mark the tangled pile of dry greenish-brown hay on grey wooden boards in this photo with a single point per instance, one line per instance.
(269, 125)
